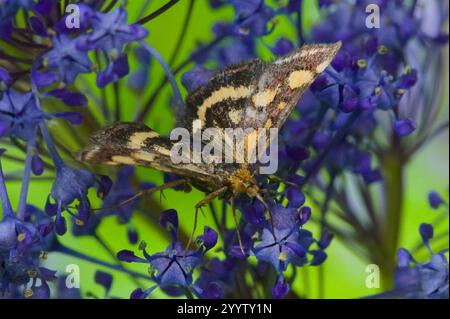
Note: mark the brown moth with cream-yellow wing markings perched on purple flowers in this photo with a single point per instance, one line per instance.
(253, 94)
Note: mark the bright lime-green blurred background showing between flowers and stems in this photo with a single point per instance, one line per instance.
(344, 272)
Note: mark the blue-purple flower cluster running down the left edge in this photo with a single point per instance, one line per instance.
(59, 55)
